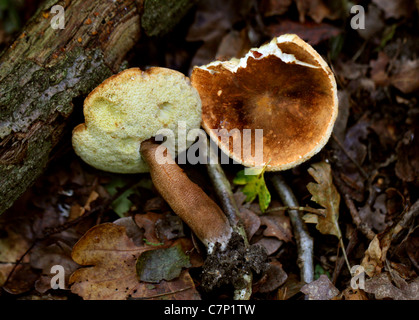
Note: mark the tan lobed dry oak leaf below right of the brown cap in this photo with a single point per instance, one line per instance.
(325, 194)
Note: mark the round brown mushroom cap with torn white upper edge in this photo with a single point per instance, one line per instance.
(284, 88)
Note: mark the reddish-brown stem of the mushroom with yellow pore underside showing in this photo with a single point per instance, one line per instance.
(187, 199)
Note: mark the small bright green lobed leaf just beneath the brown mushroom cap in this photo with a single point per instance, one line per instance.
(254, 186)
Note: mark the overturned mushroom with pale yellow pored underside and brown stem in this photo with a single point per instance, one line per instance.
(122, 114)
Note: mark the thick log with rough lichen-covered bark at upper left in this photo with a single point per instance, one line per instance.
(45, 69)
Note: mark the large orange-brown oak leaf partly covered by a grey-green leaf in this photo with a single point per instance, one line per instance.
(110, 274)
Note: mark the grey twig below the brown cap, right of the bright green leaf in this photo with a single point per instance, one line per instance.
(304, 240)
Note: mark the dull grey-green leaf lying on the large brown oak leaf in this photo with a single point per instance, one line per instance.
(161, 264)
